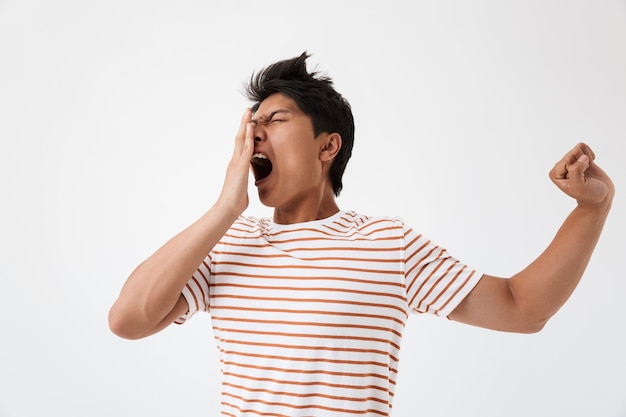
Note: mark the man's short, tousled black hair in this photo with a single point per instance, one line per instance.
(315, 95)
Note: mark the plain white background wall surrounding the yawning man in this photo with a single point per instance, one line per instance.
(116, 122)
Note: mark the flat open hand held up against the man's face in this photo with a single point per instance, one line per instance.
(234, 195)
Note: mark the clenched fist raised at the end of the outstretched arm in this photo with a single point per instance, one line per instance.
(578, 176)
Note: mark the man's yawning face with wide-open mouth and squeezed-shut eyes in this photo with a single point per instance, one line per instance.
(286, 162)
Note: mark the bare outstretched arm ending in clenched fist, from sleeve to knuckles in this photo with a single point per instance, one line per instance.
(525, 302)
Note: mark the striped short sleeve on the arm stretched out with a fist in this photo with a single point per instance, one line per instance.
(435, 281)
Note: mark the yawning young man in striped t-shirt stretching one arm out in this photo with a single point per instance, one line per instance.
(308, 308)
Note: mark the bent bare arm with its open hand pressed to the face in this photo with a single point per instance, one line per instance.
(151, 299)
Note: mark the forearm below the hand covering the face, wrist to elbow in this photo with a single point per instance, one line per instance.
(154, 287)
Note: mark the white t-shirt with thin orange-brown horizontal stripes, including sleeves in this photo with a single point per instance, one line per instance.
(308, 317)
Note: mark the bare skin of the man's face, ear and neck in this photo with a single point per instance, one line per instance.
(298, 187)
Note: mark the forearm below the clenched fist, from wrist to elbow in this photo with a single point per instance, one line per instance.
(545, 285)
